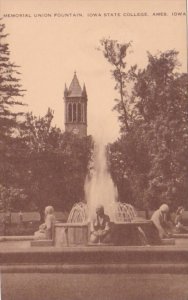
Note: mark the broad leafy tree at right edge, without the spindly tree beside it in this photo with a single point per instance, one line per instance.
(162, 103)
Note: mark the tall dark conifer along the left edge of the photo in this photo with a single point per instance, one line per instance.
(11, 93)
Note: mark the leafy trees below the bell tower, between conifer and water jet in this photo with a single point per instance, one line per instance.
(55, 165)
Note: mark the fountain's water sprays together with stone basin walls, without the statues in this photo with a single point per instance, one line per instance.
(99, 190)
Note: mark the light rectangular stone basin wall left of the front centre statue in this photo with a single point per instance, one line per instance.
(70, 234)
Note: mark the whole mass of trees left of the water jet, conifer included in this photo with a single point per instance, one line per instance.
(39, 165)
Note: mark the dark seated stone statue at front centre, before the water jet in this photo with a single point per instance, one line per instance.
(100, 227)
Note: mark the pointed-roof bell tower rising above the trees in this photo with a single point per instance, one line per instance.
(75, 99)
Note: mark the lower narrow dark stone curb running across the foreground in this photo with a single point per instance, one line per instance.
(97, 269)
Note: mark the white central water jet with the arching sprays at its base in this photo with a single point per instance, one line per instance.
(100, 190)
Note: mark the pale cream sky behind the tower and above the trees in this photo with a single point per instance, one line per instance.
(51, 39)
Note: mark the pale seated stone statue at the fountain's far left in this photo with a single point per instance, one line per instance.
(46, 229)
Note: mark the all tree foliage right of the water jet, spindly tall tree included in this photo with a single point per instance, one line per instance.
(149, 162)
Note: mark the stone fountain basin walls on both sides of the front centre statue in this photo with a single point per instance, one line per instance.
(123, 234)
